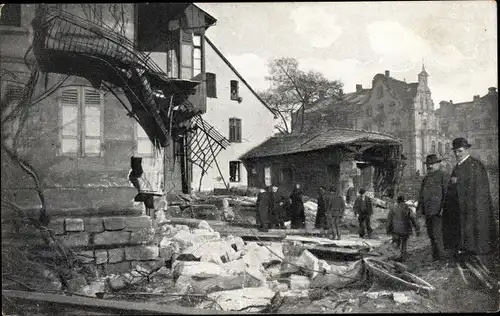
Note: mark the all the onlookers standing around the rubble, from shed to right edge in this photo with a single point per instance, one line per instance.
(458, 209)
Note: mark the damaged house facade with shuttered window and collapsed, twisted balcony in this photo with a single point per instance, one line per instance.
(104, 82)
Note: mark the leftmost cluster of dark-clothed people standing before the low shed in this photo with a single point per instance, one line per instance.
(274, 209)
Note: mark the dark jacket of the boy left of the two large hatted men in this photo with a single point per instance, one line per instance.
(401, 219)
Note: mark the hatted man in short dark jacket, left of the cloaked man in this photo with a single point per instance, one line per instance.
(430, 203)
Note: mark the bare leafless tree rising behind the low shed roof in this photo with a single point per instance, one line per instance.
(293, 90)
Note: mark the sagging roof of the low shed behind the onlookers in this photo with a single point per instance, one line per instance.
(296, 143)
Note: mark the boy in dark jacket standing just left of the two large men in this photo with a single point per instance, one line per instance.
(399, 224)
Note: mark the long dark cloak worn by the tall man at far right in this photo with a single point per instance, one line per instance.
(468, 214)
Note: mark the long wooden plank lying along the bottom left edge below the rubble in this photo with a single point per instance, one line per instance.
(101, 305)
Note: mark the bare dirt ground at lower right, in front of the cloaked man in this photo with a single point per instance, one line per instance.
(451, 294)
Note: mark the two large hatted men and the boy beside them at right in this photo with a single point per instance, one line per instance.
(458, 209)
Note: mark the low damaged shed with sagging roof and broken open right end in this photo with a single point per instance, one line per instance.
(331, 156)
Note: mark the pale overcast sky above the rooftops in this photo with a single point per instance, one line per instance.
(353, 41)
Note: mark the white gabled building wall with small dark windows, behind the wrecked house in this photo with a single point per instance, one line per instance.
(241, 116)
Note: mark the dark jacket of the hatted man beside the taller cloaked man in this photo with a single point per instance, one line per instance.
(432, 192)
